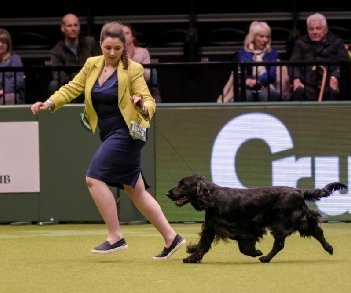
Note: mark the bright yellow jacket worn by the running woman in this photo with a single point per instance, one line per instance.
(130, 82)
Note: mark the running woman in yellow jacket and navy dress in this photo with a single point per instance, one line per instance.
(116, 98)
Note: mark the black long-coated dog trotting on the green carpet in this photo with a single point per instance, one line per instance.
(245, 215)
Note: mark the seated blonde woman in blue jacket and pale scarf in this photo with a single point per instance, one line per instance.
(260, 80)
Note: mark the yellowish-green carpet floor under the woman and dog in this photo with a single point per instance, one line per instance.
(57, 258)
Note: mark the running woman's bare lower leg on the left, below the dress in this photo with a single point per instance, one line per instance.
(106, 204)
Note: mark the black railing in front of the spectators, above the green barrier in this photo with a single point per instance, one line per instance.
(196, 82)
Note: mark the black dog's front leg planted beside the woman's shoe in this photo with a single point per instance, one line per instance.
(197, 251)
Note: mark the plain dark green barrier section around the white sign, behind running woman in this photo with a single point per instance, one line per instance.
(65, 152)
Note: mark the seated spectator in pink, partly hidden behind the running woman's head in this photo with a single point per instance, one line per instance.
(142, 56)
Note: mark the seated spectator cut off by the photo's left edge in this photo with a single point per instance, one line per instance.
(12, 84)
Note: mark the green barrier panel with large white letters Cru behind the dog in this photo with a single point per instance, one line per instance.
(255, 144)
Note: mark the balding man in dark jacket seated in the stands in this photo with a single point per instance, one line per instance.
(72, 50)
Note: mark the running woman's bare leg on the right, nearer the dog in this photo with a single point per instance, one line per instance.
(151, 210)
